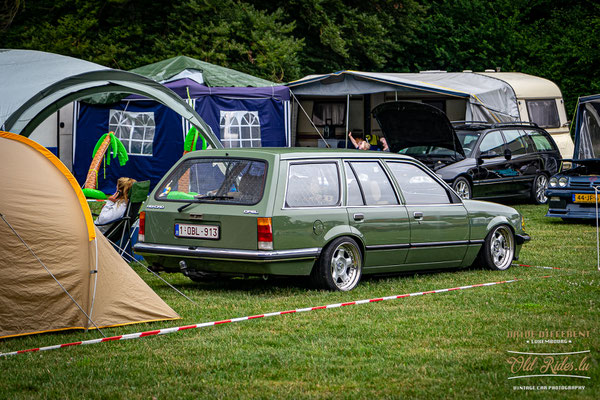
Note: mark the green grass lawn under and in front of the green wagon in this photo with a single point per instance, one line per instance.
(448, 345)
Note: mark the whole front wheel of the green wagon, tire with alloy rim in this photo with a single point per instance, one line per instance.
(498, 248)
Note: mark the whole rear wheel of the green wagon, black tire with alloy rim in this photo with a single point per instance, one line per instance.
(339, 267)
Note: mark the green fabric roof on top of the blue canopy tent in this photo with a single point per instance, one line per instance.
(213, 75)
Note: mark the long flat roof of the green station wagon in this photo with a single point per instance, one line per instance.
(287, 153)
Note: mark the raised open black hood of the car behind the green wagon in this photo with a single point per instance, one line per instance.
(408, 123)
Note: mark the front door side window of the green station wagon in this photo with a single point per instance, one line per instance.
(417, 186)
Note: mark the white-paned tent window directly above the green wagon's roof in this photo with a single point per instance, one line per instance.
(240, 129)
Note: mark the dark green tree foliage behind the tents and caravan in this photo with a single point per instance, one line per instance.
(284, 41)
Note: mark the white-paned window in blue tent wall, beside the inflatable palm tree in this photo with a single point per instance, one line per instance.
(134, 129)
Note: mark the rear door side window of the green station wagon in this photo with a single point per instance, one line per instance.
(374, 183)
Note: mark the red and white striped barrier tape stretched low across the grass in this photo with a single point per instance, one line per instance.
(207, 324)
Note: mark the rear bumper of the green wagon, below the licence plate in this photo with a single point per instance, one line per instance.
(226, 254)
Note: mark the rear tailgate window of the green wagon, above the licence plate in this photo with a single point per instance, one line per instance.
(216, 180)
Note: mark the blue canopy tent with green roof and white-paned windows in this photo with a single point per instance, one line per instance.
(242, 110)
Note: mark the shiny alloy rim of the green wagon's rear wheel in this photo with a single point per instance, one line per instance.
(346, 266)
